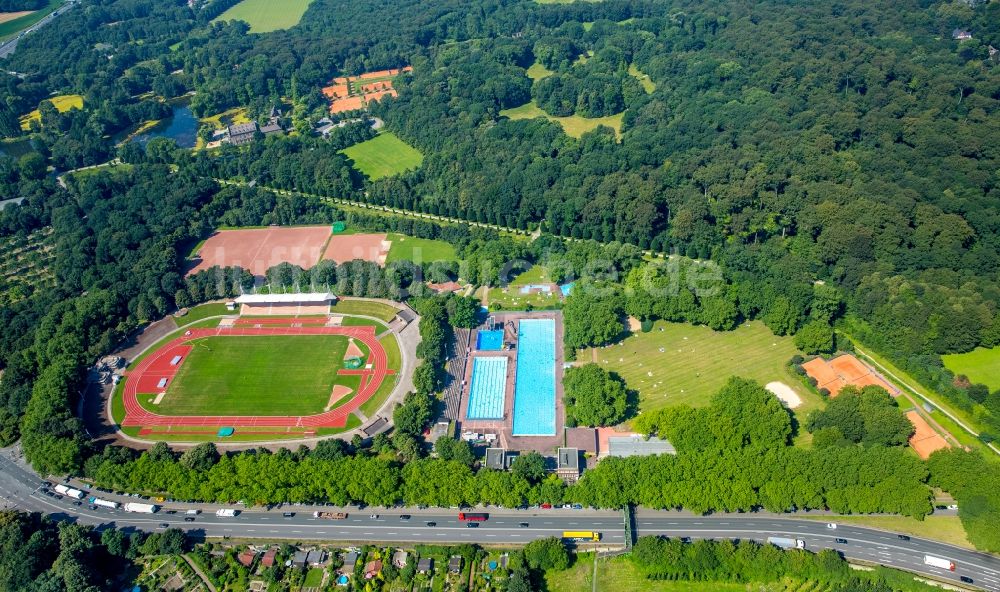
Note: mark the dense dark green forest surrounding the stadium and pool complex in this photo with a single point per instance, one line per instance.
(831, 163)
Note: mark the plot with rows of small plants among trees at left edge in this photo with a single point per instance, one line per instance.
(24, 265)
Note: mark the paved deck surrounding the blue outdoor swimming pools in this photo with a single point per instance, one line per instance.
(504, 427)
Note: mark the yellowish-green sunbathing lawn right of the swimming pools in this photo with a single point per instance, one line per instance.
(683, 364)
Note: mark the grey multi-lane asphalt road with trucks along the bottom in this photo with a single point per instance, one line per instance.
(20, 489)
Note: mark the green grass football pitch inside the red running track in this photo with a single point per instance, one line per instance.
(257, 375)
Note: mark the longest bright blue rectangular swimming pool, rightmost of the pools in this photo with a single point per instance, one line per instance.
(535, 384)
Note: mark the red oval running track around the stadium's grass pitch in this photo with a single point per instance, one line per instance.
(157, 365)
